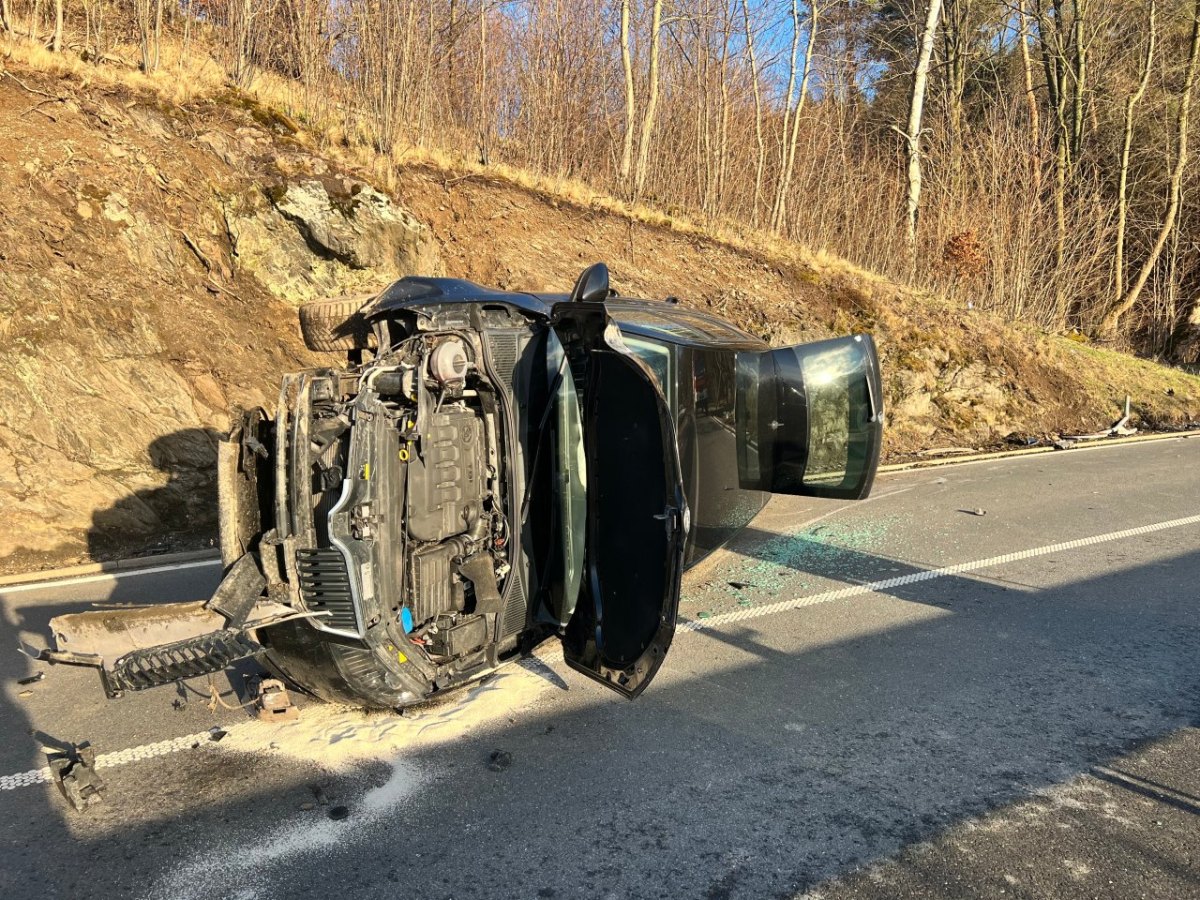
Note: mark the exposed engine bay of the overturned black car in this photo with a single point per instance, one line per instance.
(410, 494)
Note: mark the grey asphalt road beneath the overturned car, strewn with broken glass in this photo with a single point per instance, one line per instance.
(893, 699)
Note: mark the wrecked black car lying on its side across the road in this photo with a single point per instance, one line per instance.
(490, 470)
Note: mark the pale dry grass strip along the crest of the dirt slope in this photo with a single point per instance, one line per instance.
(909, 320)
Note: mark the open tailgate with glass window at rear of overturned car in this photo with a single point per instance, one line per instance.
(811, 418)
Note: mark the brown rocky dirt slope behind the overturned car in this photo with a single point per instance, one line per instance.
(152, 257)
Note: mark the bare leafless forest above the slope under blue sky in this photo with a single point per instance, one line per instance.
(1024, 157)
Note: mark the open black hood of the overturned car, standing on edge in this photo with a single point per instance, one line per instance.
(637, 514)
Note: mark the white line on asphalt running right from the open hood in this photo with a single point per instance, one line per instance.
(757, 613)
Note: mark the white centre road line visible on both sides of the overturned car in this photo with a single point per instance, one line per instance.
(149, 752)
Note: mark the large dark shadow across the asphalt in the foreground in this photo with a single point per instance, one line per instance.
(760, 766)
